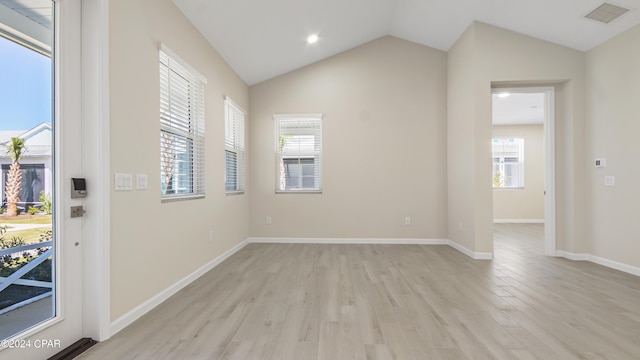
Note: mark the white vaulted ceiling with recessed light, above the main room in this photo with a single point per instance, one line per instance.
(261, 39)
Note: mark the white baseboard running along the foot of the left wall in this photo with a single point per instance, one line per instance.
(148, 305)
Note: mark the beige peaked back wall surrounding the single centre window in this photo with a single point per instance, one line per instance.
(384, 145)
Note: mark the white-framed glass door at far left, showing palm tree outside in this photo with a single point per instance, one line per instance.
(40, 118)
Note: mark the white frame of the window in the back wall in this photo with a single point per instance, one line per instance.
(315, 153)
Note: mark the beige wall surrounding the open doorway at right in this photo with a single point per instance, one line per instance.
(487, 56)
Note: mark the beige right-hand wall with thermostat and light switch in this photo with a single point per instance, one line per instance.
(613, 130)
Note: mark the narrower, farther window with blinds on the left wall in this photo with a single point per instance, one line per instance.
(233, 147)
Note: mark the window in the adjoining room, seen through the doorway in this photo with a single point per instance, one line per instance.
(508, 167)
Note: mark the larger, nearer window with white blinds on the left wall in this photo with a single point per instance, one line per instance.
(181, 128)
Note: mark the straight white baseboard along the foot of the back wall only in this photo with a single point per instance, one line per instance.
(345, 241)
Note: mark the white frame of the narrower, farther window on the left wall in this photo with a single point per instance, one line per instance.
(235, 140)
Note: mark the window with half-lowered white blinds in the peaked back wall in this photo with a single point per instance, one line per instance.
(298, 149)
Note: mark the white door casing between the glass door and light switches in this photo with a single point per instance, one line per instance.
(97, 169)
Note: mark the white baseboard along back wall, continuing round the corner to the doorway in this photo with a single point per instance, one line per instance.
(390, 241)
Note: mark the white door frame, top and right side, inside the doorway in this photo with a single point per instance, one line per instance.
(549, 159)
